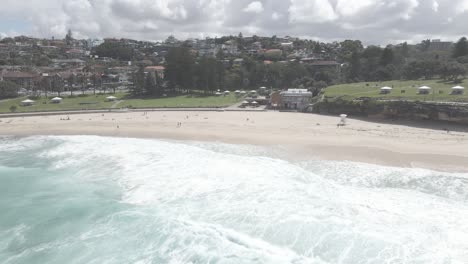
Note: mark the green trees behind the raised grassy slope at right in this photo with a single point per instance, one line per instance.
(403, 61)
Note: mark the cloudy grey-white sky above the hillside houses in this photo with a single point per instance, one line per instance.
(373, 21)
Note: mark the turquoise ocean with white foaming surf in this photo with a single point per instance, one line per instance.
(89, 199)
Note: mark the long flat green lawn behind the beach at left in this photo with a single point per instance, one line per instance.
(99, 102)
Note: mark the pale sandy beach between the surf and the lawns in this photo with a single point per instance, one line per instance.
(304, 135)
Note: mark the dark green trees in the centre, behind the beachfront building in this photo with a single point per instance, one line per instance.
(187, 73)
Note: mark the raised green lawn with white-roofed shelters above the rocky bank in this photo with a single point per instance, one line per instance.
(440, 90)
